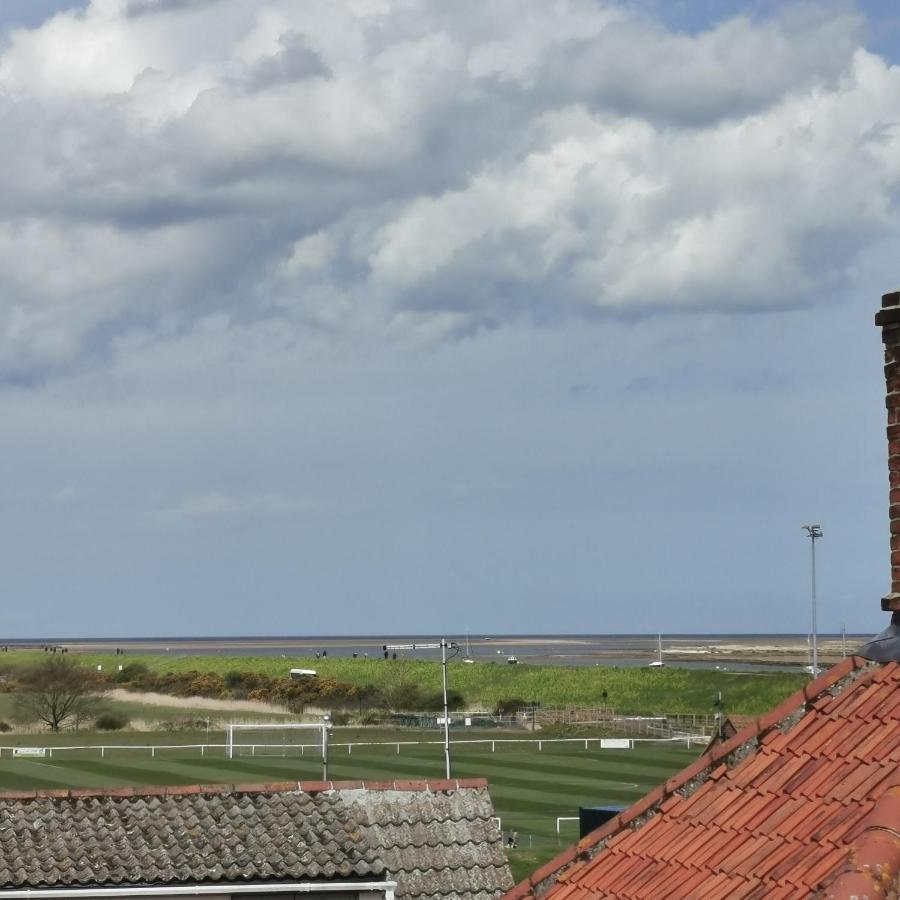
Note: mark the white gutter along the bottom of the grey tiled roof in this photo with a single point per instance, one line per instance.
(197, 890)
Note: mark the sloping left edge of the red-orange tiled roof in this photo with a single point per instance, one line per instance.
(708, 761)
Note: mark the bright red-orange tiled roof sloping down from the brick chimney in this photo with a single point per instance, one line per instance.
(804, 802)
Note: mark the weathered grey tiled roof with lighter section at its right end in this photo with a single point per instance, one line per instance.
(435, 839)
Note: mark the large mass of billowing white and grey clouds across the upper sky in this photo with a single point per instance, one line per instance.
(410, 171)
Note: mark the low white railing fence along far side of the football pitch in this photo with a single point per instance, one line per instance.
(262, 749)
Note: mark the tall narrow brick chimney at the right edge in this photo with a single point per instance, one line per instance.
(886, 646)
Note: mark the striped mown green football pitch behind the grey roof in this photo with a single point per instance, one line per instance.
(529, 788)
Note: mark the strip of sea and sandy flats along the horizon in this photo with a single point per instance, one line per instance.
(737, 652)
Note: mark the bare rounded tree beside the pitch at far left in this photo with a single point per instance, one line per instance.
(58, 691)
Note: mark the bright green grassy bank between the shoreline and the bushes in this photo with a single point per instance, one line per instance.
(638, 691)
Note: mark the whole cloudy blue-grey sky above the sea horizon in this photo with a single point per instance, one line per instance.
(398, 316)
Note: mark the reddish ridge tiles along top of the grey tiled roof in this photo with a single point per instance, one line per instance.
(432, 785)
